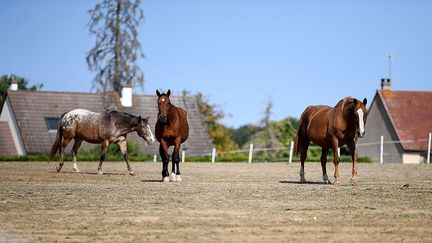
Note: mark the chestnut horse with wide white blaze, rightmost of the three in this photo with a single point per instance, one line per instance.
(330, 128)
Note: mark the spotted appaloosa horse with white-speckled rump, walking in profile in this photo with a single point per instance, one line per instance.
(103, 128)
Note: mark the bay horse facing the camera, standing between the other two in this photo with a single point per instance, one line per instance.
(171, 129)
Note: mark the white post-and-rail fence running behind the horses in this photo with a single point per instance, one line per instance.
(213, 155)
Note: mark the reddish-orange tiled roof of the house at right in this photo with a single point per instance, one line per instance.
(411, 115)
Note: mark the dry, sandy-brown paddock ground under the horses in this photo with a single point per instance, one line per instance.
(222, 202)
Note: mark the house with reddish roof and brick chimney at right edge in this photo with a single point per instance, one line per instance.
(404, 119)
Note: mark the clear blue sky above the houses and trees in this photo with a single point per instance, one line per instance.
(238, 53)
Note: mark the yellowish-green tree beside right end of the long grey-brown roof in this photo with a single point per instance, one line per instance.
(219, 134)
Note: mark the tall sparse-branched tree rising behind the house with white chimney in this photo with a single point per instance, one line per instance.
(114, 56)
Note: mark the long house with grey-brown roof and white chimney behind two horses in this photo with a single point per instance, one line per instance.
(29, 119)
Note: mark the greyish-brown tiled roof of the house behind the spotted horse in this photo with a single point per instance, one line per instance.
(31, 109)
